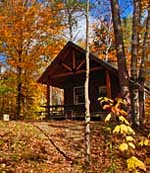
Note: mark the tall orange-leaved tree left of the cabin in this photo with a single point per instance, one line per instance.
(27, 31)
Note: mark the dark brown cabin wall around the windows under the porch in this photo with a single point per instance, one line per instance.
(97, 79)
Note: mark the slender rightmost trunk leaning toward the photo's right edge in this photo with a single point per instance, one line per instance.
(142, 71)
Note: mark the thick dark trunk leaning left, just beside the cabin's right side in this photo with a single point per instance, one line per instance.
(121, 59)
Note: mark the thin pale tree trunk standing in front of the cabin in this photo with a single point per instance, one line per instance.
(87, 102)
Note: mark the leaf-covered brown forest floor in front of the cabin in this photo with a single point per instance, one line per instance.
(58, 147)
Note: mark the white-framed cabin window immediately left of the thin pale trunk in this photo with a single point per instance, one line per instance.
(78, 95)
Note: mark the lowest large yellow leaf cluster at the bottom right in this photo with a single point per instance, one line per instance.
(134, 163)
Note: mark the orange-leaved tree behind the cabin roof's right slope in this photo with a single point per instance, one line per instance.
(103, 40)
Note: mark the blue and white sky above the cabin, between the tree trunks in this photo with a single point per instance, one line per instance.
(101, 10)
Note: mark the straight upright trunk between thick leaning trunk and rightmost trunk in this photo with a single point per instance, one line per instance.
(134, 70)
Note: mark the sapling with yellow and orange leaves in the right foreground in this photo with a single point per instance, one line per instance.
(124, 135)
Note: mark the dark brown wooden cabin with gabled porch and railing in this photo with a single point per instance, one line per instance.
(67, 72)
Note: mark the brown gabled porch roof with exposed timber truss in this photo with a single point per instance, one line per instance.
(71, 62)
